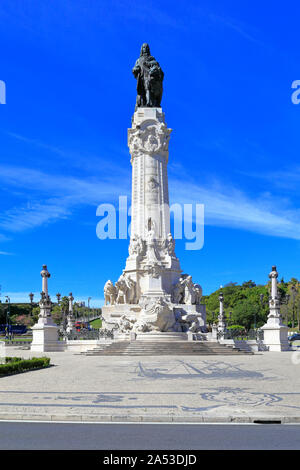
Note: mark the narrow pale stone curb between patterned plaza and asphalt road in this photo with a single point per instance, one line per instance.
(151, 419)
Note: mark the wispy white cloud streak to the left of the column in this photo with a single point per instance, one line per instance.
(66, 193)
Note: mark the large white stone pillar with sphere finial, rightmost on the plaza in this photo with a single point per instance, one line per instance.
(275, 333)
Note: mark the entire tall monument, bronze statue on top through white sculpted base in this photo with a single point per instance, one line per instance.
(151, 295)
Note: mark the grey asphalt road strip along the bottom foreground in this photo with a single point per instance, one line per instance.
(74, 436)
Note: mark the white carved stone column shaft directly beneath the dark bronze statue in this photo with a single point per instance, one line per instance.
(152, 262)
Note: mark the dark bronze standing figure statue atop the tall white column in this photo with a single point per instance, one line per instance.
(149, 77)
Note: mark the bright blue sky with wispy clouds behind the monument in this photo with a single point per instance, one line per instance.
(235, 144)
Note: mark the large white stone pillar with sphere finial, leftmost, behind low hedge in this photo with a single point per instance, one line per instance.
(45, 331)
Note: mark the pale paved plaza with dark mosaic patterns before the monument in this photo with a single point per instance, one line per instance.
(265, 386)
